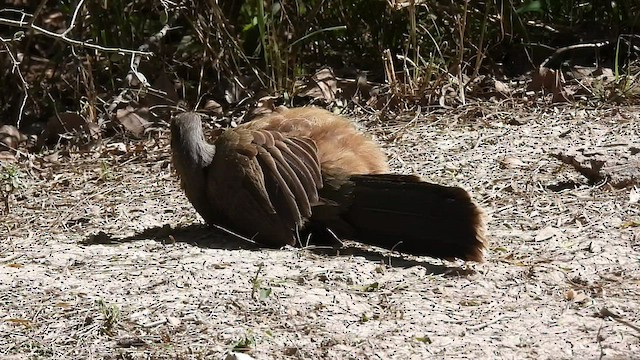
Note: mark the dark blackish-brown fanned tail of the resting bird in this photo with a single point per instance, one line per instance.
(409, 215)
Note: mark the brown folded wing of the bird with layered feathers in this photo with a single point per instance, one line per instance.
(264, 182)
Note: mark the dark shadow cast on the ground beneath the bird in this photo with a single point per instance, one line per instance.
(206, 237)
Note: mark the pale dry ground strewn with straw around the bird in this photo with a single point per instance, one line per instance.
(80, 278)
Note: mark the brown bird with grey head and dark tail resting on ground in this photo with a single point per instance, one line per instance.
(307, 172)
